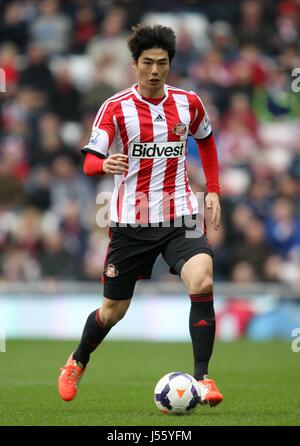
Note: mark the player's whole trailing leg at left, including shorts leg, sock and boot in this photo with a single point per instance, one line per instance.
(127, 259)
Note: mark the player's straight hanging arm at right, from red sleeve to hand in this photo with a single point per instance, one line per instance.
(202, 131)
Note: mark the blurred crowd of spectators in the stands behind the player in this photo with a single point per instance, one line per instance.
(62, 59)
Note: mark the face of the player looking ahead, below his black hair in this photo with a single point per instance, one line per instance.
(152, 69)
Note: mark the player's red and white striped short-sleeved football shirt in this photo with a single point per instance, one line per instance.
(154, 137)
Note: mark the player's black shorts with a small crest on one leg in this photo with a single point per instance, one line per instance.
(132, 252)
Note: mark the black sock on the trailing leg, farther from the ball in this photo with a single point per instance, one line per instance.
(93, 334)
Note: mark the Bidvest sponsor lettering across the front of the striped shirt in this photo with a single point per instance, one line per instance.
(173, 149)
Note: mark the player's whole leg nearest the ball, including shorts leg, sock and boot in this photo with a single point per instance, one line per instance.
(190, 256)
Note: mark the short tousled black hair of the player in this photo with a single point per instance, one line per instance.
(146, 37)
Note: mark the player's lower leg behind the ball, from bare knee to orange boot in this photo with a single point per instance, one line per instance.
(197, 274)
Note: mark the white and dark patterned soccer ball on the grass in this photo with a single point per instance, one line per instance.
(177, 392)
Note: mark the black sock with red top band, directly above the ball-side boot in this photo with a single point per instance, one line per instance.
(202, 331)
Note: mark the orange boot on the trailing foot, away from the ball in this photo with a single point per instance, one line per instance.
(69, 379)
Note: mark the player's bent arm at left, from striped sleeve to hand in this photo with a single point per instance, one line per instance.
(97, 161)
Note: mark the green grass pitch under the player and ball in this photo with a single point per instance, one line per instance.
(260, 382)
